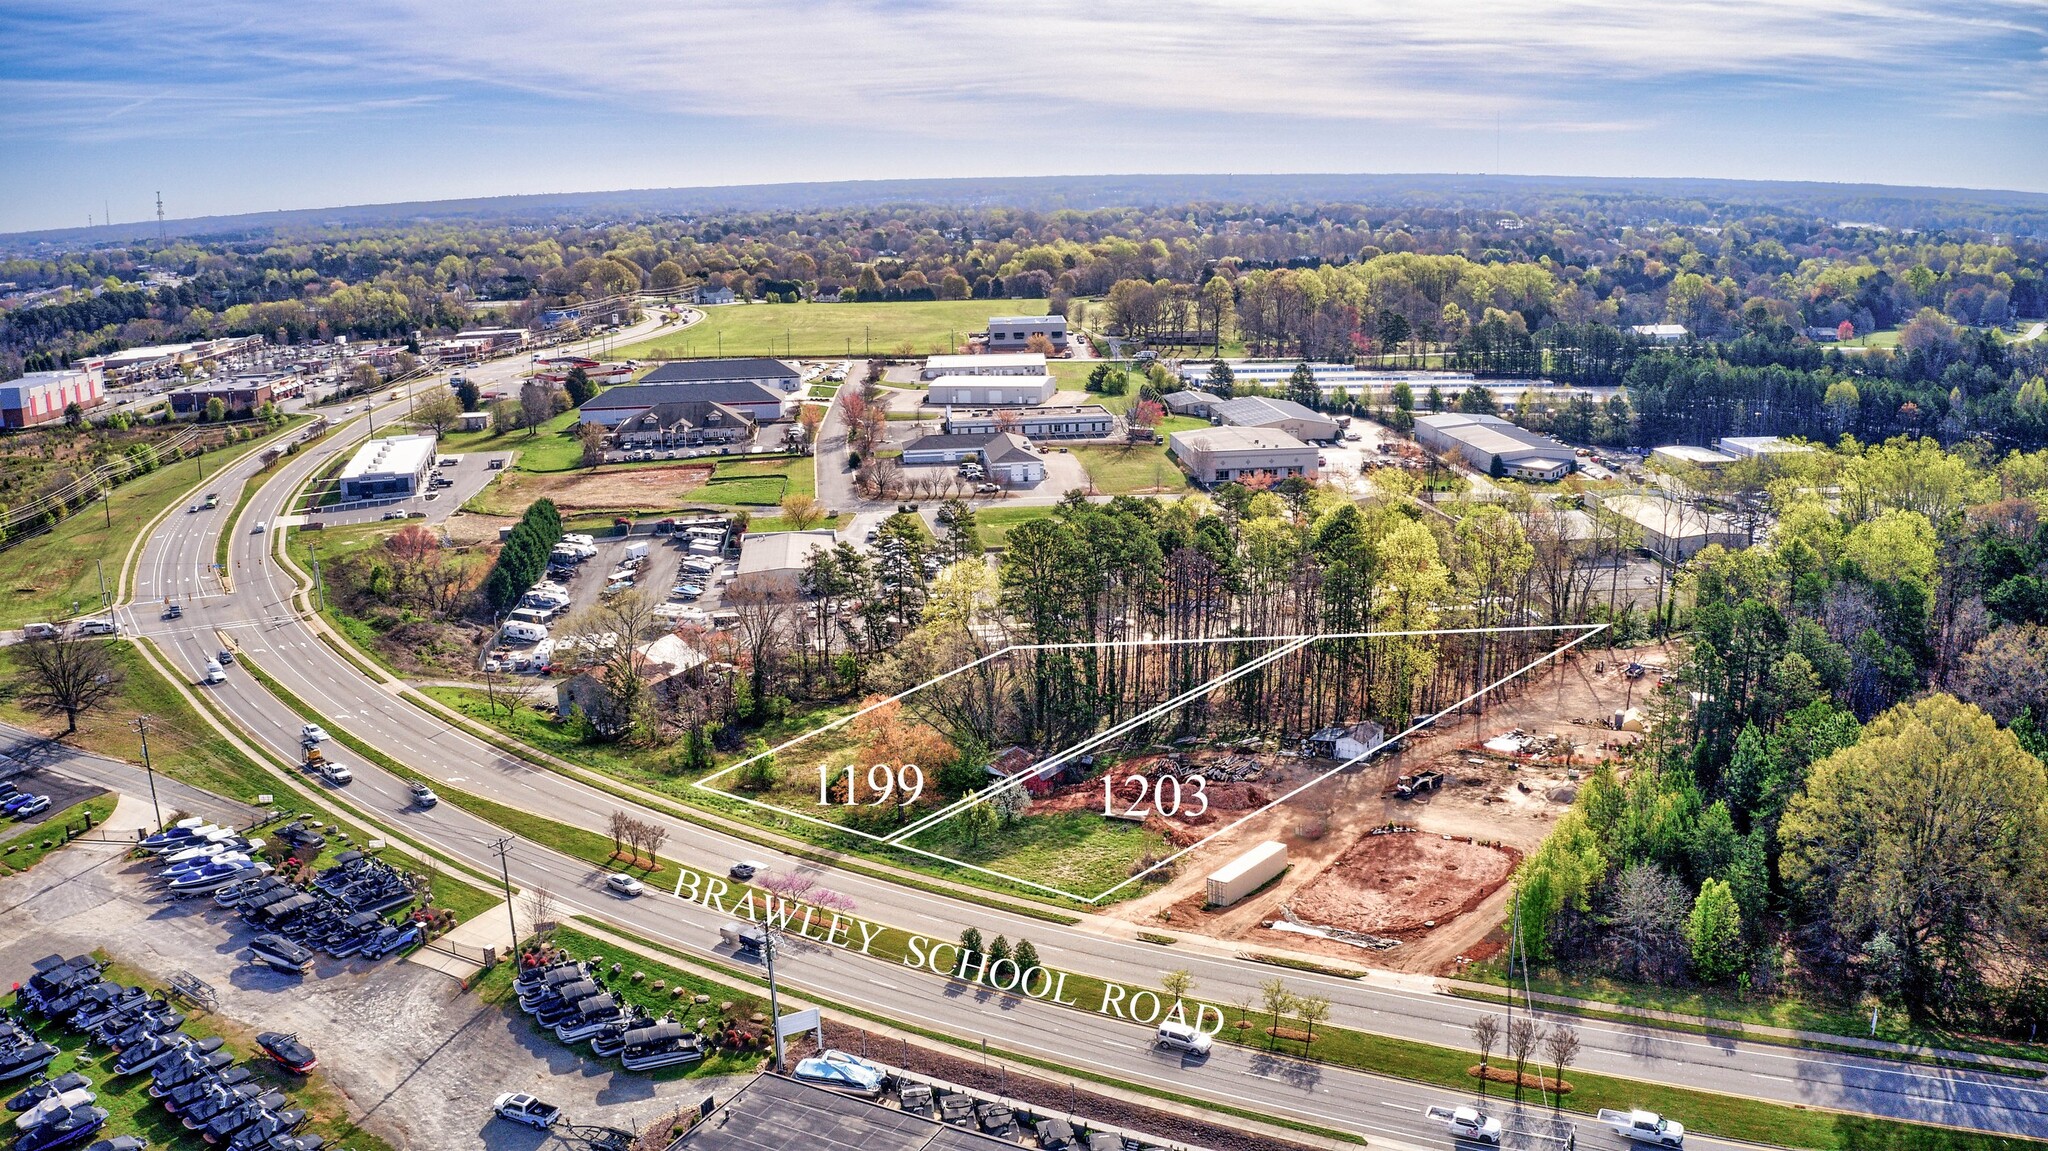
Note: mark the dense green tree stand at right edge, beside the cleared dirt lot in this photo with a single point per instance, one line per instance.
(1846, 787)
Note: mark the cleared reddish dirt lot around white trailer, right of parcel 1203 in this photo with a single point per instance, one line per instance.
(1494, 808)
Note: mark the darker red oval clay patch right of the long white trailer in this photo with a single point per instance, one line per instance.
(1394, 886)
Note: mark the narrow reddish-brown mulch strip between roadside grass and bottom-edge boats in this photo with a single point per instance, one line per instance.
(1043, 1097)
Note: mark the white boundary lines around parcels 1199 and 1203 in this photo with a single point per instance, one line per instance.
(1293, 644)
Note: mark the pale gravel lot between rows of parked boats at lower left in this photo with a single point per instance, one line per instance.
(415, 1056)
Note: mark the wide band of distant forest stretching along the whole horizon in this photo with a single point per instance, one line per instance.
(1545, 292)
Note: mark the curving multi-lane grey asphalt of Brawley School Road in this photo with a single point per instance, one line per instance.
(261, 620)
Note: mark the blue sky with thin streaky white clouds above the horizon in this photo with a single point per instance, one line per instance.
(241, 105)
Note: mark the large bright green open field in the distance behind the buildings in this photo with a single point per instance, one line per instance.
(830, 329)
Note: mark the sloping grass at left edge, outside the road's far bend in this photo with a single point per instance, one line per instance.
(42, 579)
